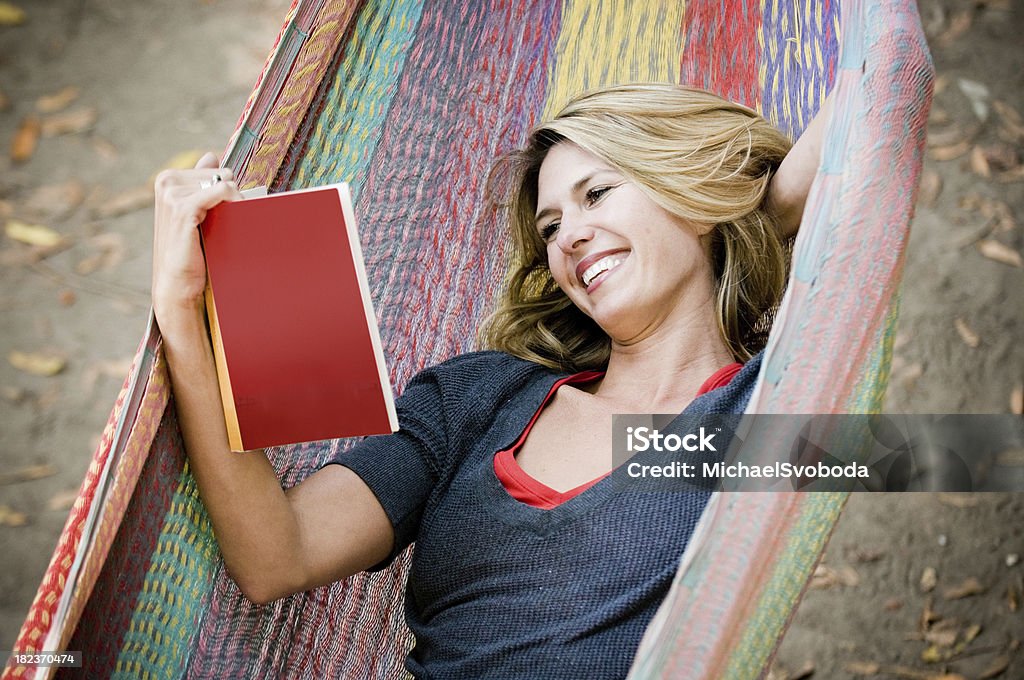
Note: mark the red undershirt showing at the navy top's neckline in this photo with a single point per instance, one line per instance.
(526, 489)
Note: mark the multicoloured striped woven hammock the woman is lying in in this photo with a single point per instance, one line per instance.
(410, 101)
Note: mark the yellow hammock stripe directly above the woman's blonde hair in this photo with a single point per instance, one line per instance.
(590, 50)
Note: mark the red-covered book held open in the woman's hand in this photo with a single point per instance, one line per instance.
(294, 334)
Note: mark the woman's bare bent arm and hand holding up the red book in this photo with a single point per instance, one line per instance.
(275, 542)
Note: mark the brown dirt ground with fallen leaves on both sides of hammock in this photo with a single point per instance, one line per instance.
(913, 586)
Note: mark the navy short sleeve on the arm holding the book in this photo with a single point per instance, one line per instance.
(402, 470)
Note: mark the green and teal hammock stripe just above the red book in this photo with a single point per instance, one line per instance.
(346, 138)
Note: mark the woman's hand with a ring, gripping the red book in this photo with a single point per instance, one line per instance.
(179, 268)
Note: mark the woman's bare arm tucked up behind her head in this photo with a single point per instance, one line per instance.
(789, 189)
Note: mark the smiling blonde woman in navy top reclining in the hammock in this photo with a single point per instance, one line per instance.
(648, 230)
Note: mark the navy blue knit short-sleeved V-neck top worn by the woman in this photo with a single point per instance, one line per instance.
(498, 589)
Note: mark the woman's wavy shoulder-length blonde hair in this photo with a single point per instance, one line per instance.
(694, 154)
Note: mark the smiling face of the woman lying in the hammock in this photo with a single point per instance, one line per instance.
(623, 260)
